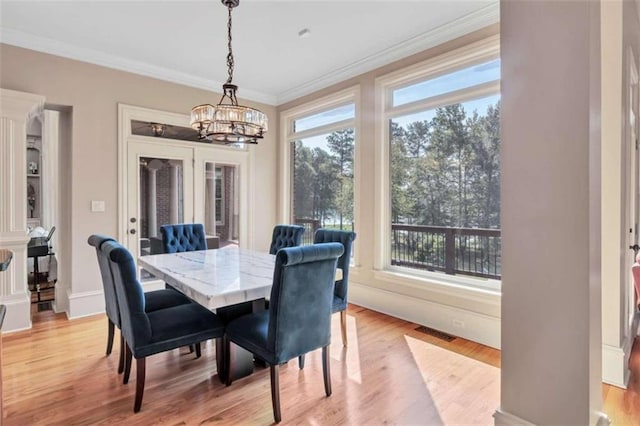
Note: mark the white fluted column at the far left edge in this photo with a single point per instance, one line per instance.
(15, 107)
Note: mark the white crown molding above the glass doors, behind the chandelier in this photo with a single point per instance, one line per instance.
(54, 47)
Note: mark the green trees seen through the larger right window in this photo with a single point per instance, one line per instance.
(446, 171)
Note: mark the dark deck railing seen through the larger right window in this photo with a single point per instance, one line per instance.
(464, 251)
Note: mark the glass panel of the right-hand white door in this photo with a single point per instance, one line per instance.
(221, 204)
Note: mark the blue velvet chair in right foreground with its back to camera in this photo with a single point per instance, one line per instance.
(299, 316)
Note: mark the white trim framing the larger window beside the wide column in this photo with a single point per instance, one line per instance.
(472, 54)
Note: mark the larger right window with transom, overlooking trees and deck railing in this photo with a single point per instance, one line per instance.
(443, 136)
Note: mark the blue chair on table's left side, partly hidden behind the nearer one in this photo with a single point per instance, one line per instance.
(154, 300)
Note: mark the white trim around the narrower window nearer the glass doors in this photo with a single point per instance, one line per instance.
(334, 100)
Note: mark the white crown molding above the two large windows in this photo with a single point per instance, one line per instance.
(472, 22)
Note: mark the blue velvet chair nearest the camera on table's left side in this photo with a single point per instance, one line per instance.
(148, 333)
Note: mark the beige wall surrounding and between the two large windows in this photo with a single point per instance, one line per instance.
(434, 304)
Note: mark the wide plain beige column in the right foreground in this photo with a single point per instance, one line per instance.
(551, 282)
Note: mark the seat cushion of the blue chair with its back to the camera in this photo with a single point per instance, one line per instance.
(250, 332)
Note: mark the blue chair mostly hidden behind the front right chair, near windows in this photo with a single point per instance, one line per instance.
(340, 302)
